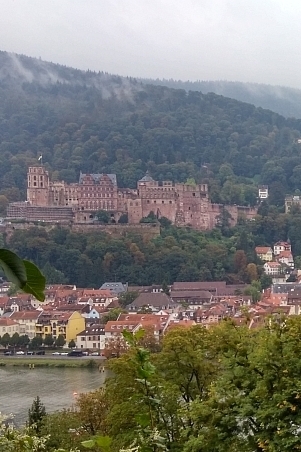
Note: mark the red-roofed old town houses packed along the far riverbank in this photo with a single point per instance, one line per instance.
(78, 313)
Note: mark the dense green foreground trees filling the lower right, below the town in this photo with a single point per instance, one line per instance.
(226, 389)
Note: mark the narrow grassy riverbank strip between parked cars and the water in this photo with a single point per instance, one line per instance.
(31, 362)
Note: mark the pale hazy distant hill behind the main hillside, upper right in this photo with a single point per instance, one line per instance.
(283, 100)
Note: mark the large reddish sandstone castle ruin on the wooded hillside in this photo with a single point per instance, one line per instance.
(58, 201)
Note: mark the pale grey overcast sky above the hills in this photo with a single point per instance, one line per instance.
(237, 40)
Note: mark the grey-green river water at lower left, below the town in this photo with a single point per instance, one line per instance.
(56, 387)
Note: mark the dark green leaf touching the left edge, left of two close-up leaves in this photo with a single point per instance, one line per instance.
(13, 268)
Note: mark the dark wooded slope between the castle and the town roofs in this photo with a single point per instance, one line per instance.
(178, 254)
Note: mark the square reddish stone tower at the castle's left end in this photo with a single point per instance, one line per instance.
(37, 186)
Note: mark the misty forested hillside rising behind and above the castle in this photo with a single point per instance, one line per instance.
(102, 123)
